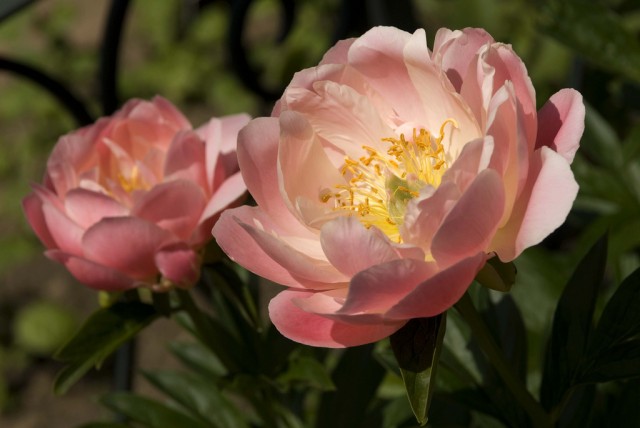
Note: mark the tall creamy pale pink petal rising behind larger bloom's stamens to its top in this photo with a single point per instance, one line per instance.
(431, 85)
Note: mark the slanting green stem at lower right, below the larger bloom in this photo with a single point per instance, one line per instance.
(485, 340)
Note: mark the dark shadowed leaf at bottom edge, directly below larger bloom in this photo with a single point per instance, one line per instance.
(356, 378)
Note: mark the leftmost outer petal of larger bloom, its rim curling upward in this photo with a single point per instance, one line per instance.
(231, 234)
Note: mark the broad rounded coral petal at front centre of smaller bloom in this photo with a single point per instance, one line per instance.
(126, 244)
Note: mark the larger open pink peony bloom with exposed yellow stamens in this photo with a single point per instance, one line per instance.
(389, 174)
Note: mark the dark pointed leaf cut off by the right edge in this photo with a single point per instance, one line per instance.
(620, 319)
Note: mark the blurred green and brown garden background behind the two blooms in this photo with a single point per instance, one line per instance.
(563, 43)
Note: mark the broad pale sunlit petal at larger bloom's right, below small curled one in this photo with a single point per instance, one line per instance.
(541, 208)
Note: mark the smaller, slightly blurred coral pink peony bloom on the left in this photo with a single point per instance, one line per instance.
(130, 200)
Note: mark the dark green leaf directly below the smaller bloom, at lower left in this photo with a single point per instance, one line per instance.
(100, 335)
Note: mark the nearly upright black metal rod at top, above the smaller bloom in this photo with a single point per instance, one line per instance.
(109, 55)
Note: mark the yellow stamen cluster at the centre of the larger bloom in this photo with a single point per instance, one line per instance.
(380, 185)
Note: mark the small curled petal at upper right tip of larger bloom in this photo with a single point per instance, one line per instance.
(561, 123)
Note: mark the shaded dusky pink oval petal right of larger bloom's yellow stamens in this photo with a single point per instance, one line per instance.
(462, 235)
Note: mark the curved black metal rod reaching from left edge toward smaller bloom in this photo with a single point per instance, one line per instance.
(55, 88)
